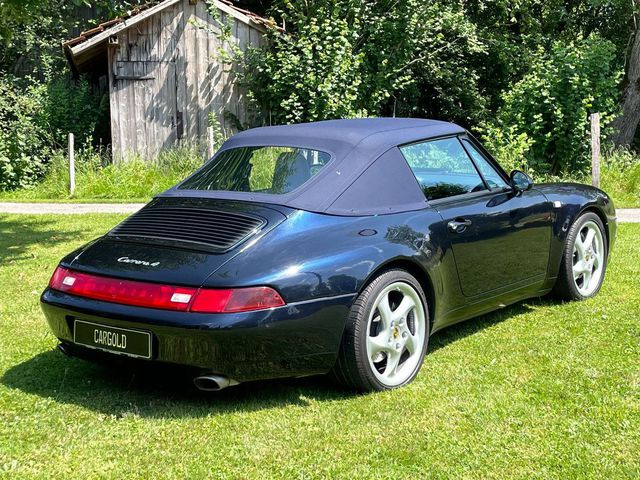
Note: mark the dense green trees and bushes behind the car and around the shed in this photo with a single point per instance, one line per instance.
(526, 74)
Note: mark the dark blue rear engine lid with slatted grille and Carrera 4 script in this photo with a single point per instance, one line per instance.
(177, 241)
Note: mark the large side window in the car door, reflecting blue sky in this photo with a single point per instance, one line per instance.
(442, 168)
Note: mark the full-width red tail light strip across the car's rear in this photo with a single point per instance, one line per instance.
(167, 297)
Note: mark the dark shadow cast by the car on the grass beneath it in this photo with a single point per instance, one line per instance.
(161, 391)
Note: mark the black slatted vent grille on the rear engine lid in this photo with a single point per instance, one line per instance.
(195, 227)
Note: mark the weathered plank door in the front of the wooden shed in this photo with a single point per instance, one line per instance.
(149, 119)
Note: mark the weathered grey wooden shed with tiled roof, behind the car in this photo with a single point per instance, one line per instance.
(163, 70)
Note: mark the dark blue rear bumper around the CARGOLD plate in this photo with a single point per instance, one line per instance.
(294, 340)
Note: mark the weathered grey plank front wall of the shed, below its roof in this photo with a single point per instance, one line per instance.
(165, 77)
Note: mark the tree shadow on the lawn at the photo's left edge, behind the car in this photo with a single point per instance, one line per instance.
(18, 234)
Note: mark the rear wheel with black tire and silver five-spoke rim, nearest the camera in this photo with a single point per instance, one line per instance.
(386, 335)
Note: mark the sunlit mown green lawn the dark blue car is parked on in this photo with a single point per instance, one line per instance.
(536, 390)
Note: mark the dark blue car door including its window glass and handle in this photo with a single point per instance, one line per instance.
(500, 240)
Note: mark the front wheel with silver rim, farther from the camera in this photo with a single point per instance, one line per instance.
(584, 259)
